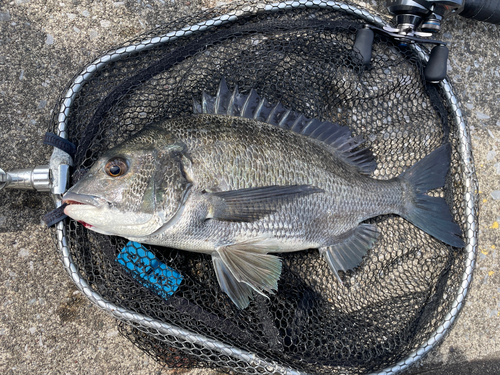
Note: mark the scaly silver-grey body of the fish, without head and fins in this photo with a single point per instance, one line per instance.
(258, 155)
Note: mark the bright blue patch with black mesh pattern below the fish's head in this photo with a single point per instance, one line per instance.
(143, 264)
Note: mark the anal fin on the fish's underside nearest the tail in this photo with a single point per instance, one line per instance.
(349, 250)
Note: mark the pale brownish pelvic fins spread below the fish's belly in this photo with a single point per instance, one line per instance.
(242, 269)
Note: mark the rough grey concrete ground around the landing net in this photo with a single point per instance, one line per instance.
(46, 326)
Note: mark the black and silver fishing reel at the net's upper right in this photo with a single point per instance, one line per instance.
(418, 20)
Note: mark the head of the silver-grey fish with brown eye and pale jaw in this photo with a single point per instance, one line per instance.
(133, 189)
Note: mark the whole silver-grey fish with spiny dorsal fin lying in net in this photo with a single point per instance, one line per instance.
(243, 180)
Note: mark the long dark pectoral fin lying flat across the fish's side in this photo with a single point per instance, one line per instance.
(254, 203)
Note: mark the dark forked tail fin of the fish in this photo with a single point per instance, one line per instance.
(432, 214)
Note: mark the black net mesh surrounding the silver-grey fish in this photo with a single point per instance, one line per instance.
(386, 308)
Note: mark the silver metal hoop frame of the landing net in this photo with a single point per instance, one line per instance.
(130, 317)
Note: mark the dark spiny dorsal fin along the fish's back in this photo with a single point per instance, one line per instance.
(338, 138)
